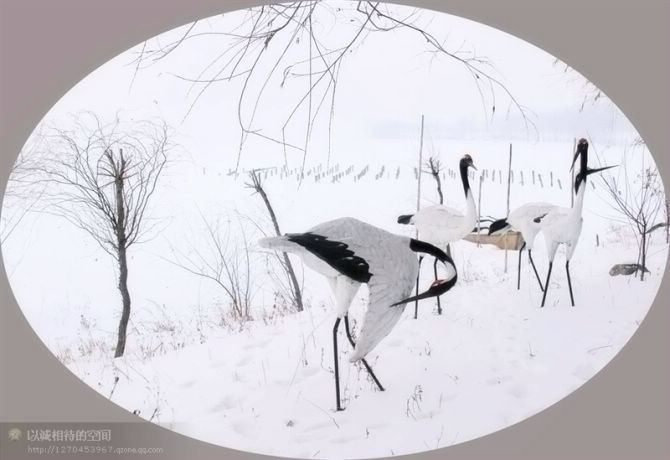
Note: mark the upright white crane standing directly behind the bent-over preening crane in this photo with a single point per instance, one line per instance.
(440, 225)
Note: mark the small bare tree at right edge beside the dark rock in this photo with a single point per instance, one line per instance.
(638, 198)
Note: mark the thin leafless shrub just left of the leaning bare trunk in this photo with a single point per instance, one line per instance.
(224, 262)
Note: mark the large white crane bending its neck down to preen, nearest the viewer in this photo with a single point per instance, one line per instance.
(348, 253)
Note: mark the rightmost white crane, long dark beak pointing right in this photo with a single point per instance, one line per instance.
(563, 225)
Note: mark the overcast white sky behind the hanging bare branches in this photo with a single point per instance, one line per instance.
(385, 85)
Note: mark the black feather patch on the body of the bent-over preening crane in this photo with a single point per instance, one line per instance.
(334, 253)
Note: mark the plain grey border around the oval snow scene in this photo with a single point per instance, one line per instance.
(46, 47)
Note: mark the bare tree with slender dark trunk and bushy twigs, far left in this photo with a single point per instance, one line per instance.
(101, 178)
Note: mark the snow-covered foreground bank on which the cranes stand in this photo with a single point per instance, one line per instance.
(492, 359)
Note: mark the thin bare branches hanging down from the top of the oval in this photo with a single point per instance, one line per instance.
(277, 44)
